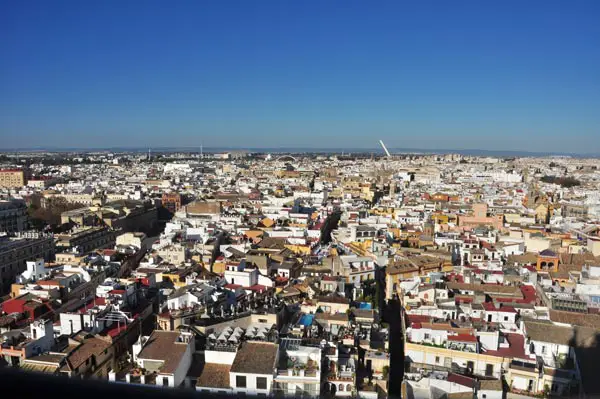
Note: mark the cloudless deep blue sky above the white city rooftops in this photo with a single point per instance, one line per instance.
(498, 74)
